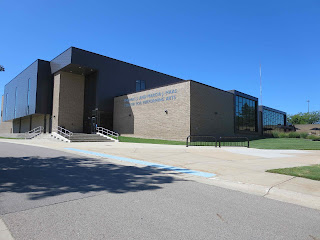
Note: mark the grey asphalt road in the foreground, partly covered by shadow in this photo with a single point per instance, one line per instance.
(48, 194)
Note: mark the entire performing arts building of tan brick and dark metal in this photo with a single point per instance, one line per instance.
(79, 90)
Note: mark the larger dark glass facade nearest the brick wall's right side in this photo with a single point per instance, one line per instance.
(246, 115)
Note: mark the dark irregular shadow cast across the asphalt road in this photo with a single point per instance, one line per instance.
(46, 177)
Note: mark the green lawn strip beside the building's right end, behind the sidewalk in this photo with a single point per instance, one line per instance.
(285, 143)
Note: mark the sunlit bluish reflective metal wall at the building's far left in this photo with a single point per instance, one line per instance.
(16, 94)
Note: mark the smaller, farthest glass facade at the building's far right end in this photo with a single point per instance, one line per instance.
(272, 120)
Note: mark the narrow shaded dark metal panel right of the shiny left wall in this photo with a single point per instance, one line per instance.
(44, 88)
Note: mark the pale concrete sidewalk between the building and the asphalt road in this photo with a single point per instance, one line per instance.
(239, 169)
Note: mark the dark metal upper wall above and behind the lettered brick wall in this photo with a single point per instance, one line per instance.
(115, 78)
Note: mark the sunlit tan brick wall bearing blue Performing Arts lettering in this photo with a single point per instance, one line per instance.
(161, 113)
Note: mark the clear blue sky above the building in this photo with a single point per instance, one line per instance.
(219, 43)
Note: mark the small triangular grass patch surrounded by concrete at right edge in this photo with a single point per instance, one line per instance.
(311, 172)
